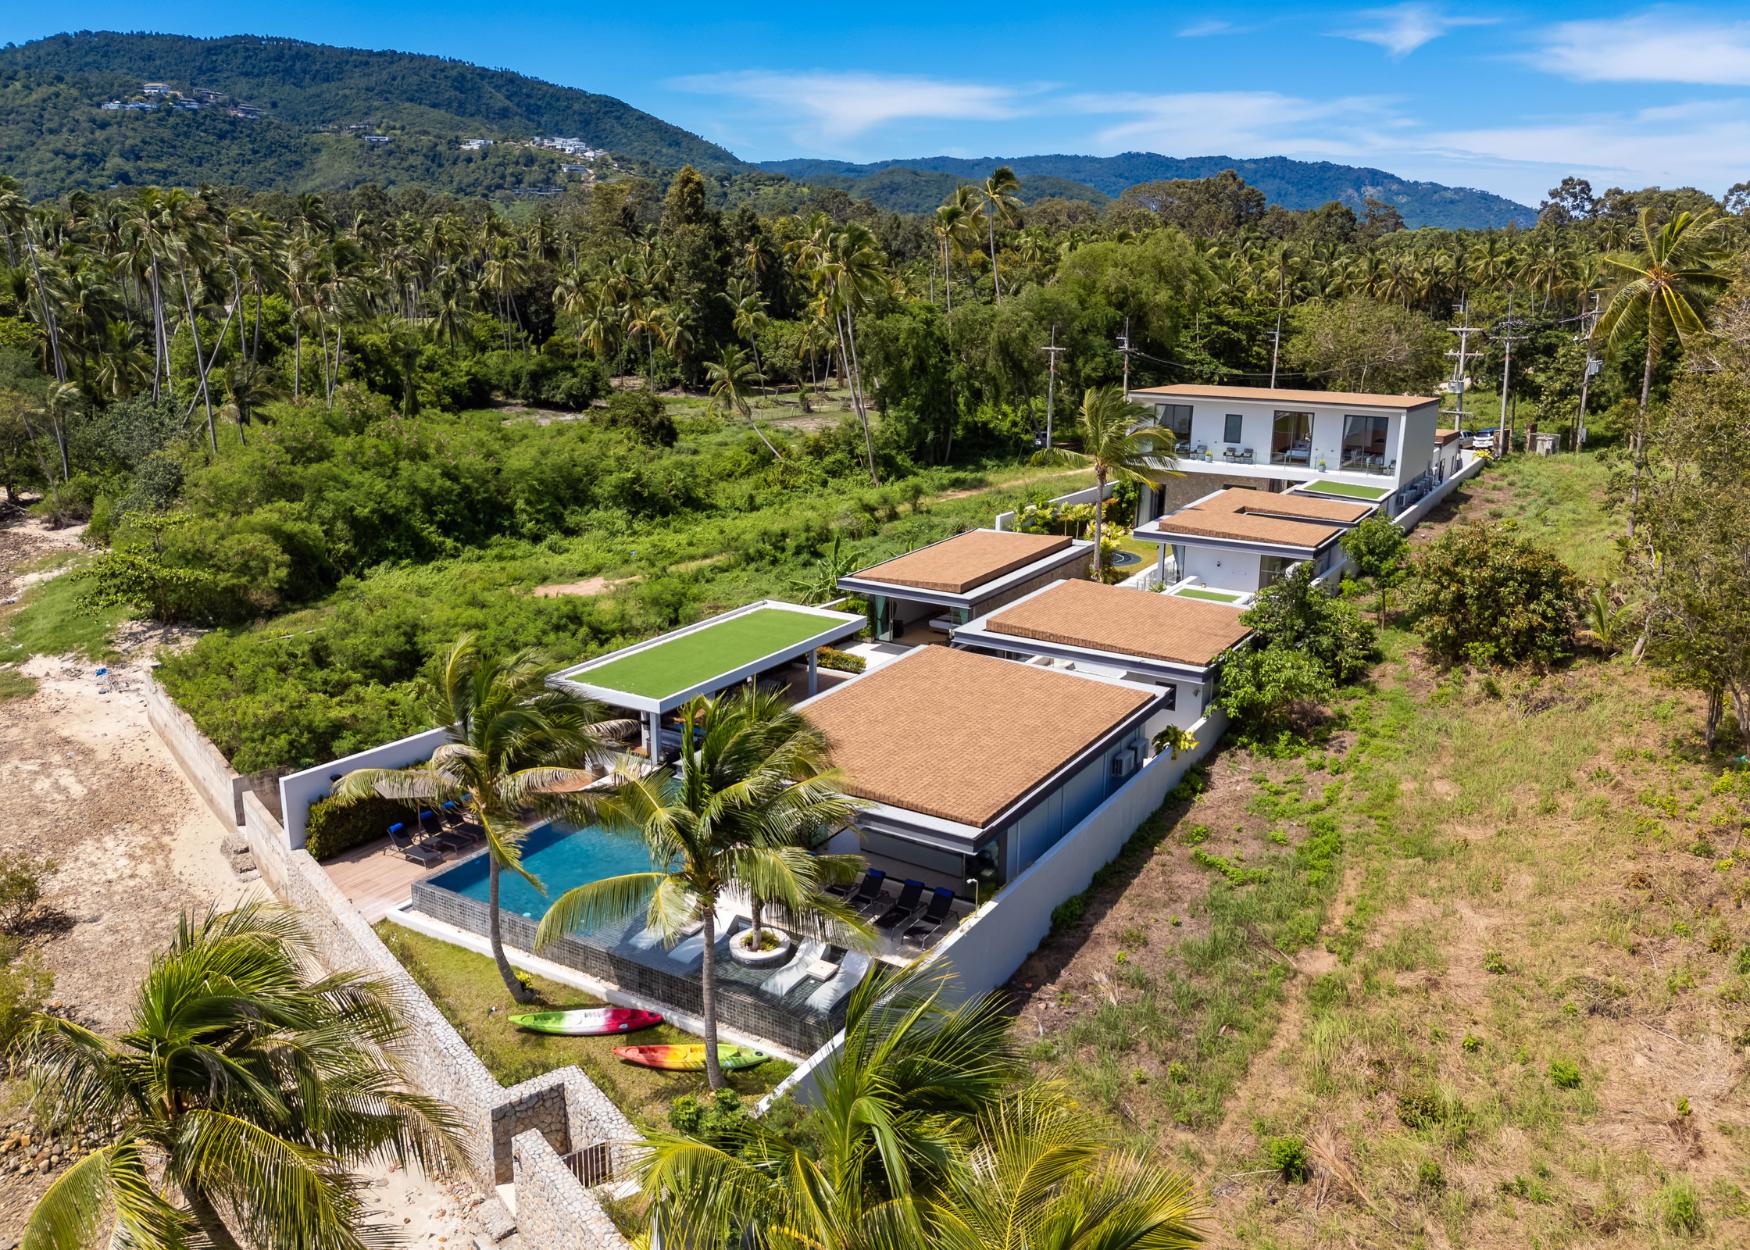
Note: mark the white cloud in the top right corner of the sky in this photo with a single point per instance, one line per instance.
(1658, 46)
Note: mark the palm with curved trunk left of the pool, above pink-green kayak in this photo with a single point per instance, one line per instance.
(515, 748)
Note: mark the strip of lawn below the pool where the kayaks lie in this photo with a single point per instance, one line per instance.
(468, 990)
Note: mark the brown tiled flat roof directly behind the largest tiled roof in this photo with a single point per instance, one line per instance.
(1130, 622)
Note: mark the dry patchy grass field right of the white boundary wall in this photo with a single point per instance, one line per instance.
(1506, 1009)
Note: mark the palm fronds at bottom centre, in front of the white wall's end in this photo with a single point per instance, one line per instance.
(925, 1142)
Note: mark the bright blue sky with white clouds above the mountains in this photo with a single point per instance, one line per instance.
(1497, 97)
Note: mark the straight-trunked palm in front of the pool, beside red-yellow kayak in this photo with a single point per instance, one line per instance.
(748, 797)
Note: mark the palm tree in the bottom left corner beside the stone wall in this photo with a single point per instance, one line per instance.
(246, 1086)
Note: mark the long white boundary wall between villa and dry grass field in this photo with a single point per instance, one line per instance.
(995, 941)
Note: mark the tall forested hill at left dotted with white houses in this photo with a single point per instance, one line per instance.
(55, 137)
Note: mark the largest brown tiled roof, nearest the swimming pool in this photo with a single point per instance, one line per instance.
(963, 736)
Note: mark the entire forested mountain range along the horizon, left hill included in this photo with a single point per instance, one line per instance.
(319, 102)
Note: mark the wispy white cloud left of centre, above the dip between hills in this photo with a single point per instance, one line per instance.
(843, 106)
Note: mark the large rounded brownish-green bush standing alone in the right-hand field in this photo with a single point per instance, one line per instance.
(1487, 596)
